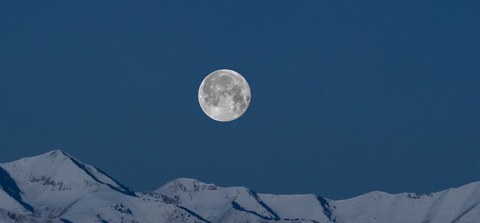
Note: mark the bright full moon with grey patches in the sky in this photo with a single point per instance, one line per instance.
(224, 95)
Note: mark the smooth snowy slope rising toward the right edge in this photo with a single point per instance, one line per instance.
(453, 205)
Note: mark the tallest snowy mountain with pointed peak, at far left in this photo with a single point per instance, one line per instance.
(55, 187)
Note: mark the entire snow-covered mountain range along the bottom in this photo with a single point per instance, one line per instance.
(55, 187)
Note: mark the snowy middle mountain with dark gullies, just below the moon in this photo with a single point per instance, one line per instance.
(241, 204)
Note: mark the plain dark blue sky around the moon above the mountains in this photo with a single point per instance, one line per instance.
(347, 96)
